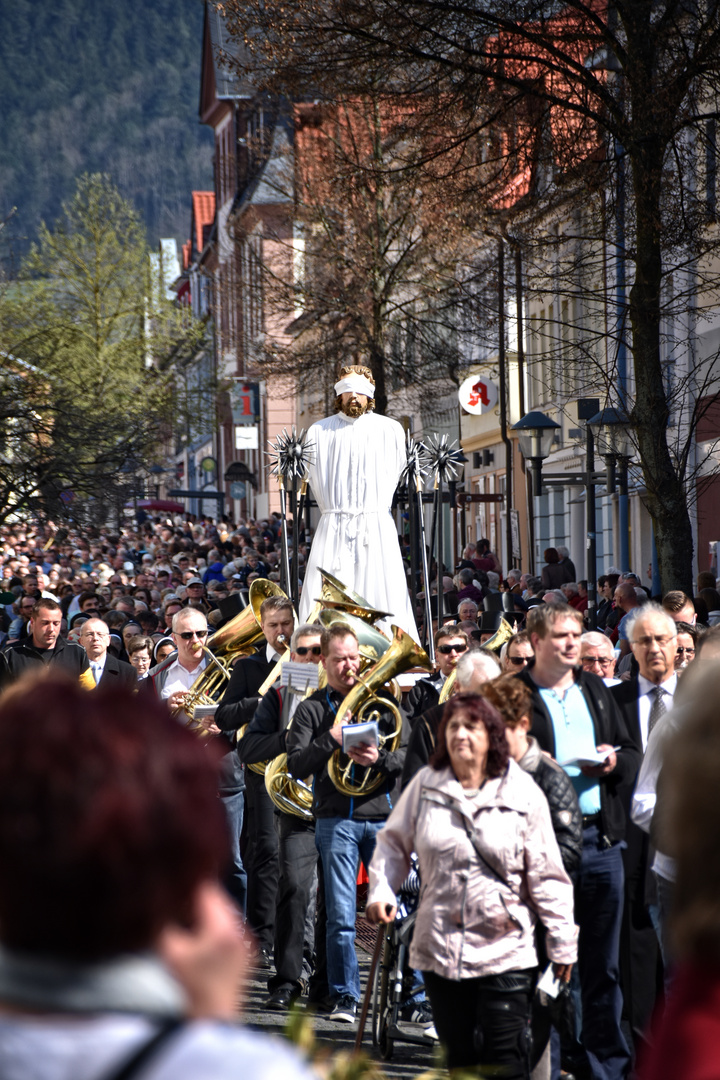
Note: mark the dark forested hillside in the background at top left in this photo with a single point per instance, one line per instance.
(96, 86)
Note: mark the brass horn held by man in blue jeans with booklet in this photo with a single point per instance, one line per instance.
(402, 654)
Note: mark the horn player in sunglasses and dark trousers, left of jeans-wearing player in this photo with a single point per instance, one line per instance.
(264, 741)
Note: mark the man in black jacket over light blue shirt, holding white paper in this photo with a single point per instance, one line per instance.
(576, 720)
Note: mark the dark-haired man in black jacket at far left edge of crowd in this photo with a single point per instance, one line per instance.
(43, 646)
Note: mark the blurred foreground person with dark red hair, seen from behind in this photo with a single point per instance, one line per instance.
(118, 948)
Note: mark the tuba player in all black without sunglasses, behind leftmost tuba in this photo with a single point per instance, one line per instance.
(237, 709)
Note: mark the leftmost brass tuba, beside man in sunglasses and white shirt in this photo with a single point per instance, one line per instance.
(235, 640)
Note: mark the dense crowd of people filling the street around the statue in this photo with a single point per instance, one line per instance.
(535, 777)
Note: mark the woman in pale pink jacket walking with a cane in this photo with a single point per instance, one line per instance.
(491, 868)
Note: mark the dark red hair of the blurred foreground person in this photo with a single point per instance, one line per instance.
(110, 820)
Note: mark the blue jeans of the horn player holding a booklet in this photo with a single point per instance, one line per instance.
(342, 844)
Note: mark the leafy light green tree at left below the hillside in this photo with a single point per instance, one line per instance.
(85, 346)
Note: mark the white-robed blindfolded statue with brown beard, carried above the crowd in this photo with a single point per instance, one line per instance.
(357, 464)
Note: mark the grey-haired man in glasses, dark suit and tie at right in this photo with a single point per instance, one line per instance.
(653, 633)
